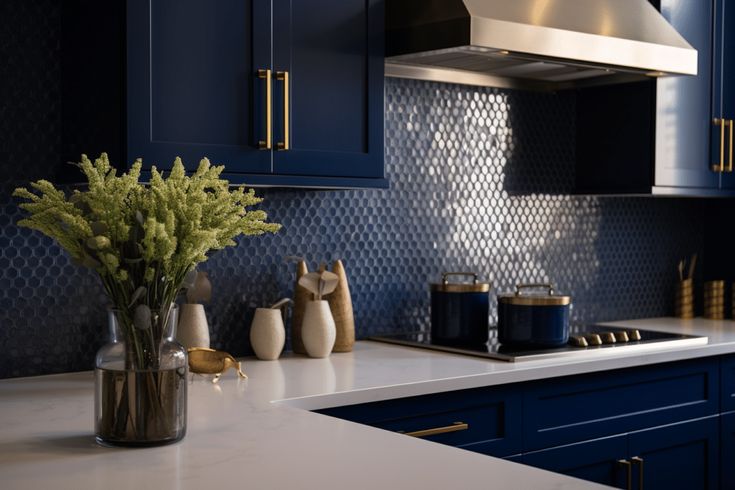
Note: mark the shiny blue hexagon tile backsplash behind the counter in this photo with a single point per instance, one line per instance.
(477, 179)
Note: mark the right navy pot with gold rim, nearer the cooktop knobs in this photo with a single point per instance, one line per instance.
(532, 319)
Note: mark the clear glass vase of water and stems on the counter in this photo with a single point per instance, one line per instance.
(141, 382)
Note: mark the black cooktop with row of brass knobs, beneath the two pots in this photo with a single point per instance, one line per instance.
(627, 340)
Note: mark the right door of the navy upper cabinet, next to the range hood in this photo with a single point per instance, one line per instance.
(333, 53)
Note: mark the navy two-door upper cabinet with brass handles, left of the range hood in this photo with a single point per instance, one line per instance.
(281, 92)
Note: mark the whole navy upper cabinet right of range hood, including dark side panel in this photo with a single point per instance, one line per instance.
(670, 136)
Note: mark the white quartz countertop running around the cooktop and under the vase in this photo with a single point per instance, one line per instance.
(258, 433)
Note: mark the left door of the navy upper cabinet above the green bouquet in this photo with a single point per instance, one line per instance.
(193, 89)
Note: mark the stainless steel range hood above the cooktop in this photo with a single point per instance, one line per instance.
(536, 44)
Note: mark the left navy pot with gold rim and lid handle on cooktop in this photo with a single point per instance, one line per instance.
(459, 311)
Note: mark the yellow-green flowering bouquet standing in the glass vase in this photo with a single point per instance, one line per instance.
(143, 240)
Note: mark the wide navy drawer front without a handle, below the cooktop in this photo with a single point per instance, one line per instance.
(573, 409)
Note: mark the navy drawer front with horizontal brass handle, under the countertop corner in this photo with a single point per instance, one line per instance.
(492, 417)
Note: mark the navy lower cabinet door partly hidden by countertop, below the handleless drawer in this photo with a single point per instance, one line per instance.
(597, 460)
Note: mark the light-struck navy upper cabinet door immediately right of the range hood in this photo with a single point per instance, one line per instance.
(683, 104)
